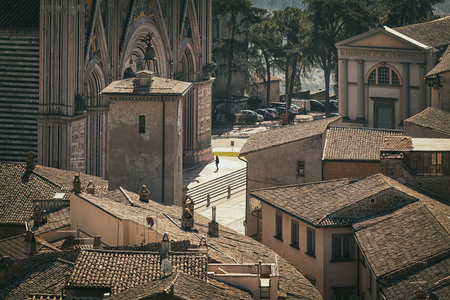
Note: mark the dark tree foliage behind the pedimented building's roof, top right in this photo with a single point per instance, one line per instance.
(405, 12)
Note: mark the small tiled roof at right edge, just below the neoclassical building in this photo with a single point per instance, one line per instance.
(432, 118)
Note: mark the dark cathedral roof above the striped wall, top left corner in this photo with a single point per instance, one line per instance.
(16, 14)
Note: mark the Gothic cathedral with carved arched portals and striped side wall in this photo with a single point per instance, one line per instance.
(58, 61)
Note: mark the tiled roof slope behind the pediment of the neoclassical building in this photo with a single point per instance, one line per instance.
(434, 33)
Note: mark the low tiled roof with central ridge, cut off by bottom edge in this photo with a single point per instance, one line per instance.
(184, 287)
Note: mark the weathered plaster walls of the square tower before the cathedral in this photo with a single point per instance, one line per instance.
(136, 158)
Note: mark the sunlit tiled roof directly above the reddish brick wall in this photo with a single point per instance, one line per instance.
(349, 143)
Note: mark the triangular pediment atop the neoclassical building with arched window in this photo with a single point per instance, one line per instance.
(381, 38)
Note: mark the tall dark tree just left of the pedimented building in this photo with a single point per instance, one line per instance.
(333, 21)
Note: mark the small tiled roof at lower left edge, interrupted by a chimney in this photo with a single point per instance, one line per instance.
(17, 248)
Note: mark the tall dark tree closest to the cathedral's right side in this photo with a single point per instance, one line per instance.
(240, 14)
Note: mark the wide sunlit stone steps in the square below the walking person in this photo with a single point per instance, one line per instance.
(218, 188)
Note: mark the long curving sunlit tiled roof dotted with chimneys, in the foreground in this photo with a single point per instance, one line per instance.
(229, 247)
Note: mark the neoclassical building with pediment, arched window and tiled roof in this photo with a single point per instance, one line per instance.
(382, 73)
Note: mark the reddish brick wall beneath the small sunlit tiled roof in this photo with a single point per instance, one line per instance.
(349, 169)
